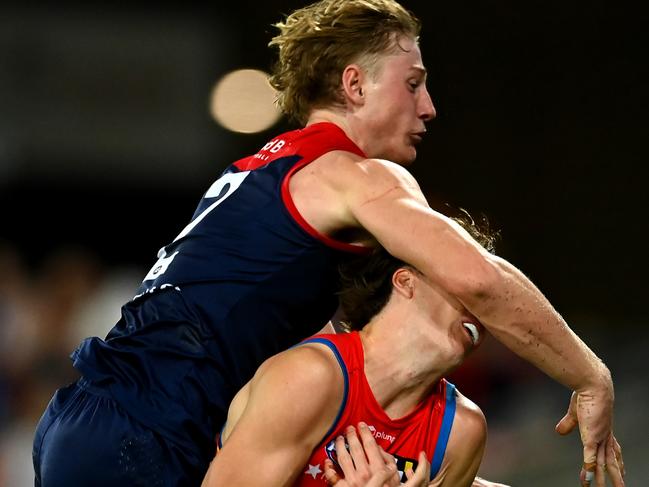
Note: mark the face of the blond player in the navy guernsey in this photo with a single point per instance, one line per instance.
(397, 104)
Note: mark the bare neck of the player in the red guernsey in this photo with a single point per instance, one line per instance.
(402, 364)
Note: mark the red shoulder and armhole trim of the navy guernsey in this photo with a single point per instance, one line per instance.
(336, 140)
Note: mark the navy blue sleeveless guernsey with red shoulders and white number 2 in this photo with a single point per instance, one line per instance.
(247, 278)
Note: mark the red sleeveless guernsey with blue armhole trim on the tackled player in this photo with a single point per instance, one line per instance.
(426, 428)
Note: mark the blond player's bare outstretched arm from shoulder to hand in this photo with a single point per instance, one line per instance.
(384, 199)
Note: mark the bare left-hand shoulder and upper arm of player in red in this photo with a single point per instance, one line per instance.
(291, 402)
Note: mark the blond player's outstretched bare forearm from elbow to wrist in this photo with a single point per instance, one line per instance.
(518, 315)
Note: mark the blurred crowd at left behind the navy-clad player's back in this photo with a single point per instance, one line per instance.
(46, 308)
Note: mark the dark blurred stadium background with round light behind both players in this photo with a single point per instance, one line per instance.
(111, 128)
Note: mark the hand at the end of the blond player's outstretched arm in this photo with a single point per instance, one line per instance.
(593, 412)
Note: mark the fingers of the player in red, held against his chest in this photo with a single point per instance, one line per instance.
(365, 464)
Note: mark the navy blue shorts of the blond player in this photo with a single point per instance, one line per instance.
(85, 438)
